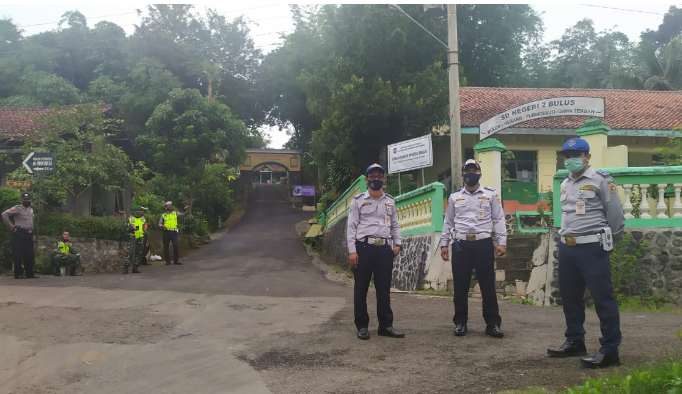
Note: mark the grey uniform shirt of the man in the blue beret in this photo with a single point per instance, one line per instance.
(598, 191)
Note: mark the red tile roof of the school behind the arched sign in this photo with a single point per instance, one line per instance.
(625, 109)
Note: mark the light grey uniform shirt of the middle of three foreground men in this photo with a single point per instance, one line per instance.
(462, 215)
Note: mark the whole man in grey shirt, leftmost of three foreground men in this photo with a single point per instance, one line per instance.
(372, 228)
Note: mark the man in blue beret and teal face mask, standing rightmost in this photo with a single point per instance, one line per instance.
(591, 223)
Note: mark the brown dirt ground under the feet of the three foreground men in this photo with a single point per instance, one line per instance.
(430, 359)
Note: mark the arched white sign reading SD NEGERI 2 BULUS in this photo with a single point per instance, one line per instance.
(545, 108)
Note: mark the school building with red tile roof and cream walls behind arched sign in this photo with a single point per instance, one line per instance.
(636, 122)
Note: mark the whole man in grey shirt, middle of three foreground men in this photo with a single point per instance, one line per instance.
(473, 213)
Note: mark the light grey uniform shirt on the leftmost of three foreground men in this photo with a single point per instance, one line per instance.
(372, 218)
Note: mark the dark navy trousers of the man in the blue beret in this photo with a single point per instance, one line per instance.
(588, 265)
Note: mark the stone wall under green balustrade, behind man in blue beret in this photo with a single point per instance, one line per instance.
(661, 264)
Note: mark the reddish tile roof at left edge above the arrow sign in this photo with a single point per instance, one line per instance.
(18, 122)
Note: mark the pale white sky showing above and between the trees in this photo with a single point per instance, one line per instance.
(270, 20)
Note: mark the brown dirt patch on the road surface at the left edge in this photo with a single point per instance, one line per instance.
(47, 326)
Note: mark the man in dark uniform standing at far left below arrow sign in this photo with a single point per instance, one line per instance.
(22, 236)
